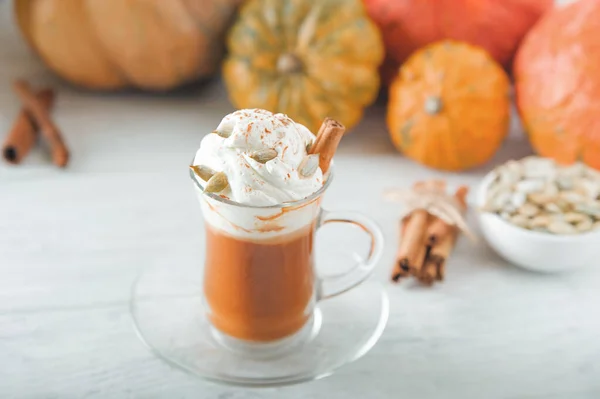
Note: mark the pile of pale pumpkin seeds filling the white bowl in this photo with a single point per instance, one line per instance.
(537, 194)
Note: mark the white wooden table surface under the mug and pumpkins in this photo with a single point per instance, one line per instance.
(72, 242)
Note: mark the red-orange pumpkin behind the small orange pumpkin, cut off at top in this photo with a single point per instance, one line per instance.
(496, 25)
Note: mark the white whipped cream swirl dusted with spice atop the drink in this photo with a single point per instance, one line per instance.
(251, 182)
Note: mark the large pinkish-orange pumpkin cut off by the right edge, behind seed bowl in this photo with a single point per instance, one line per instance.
(558, 84)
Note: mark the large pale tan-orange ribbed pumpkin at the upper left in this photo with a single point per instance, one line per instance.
(110, 44)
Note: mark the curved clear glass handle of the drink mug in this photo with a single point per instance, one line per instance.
(334, 285)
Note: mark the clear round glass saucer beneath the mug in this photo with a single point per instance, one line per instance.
(168, 312)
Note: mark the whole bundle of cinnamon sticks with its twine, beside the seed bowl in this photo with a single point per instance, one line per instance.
(430, 223)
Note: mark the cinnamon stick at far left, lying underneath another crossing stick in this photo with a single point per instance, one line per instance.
(23, 134)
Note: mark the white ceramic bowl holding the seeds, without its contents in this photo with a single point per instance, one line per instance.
(537, 251)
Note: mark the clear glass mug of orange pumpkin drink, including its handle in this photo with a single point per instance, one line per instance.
(260, 283)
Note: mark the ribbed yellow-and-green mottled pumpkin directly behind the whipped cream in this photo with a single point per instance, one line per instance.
(305, 58)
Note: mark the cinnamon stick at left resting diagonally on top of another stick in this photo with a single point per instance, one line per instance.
(60, 153)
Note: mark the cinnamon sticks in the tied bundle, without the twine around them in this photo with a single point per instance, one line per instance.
(427, 241)
